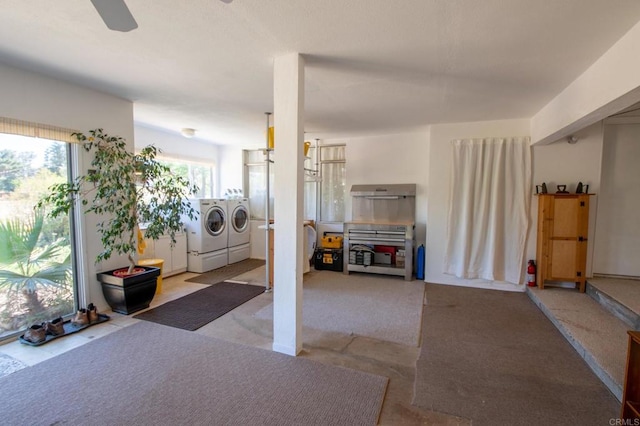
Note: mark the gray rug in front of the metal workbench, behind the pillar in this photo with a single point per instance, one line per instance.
(382, 308)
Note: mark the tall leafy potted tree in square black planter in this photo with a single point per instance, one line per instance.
(126, 190)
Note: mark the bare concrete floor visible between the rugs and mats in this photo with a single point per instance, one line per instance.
(392, 360)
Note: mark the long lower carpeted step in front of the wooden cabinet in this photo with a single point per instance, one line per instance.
(599, 337)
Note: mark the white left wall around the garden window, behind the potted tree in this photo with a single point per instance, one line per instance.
(36, 98)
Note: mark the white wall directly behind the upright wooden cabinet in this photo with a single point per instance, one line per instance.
(561, 163)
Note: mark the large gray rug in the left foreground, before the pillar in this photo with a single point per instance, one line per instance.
(149, 374)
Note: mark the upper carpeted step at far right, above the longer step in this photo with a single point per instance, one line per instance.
(619, 296)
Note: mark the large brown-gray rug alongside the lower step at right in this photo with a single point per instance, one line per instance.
(493, 357)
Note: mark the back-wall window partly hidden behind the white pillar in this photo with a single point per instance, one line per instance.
(324, 186)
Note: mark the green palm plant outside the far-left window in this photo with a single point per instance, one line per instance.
(27, 267)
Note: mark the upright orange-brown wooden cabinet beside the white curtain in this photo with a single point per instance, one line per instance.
(563, 224)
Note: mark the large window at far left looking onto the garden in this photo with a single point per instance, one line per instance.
(36, 252)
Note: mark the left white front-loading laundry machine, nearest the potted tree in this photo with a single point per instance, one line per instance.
(207, 235)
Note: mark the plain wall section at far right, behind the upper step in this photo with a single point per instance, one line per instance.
(617, 234)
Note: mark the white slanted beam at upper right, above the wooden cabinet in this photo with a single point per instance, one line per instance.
(611, 84)
